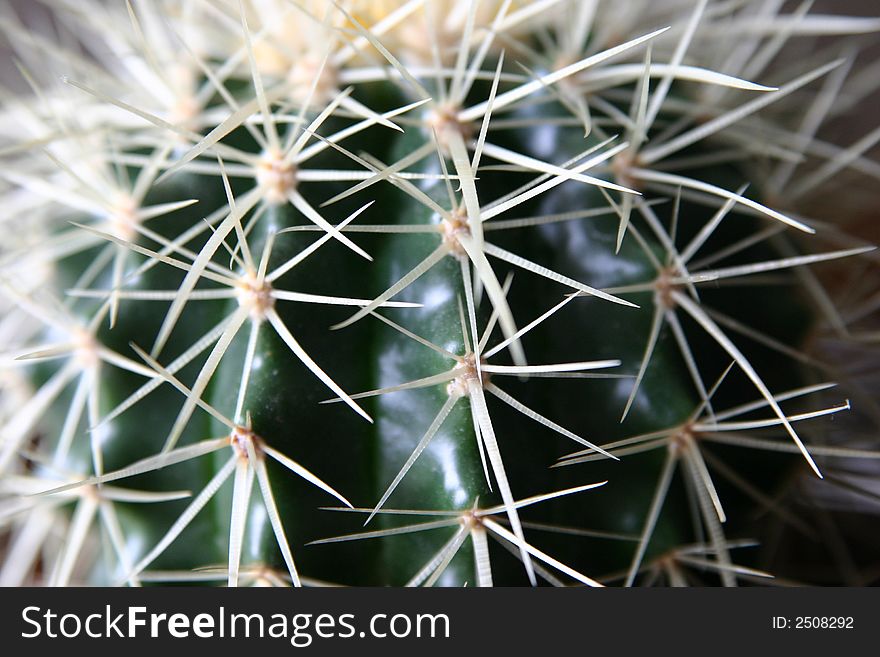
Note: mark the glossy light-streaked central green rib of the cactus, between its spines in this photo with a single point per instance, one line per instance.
(448, 474)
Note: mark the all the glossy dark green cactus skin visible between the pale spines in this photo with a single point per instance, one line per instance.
(360, 459)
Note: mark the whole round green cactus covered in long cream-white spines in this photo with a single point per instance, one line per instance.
(307, 292)
